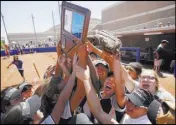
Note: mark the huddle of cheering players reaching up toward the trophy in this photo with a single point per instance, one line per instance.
(126, 94)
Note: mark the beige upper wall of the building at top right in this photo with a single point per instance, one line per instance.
(129, 8)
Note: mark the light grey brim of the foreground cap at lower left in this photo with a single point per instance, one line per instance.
(34, 103)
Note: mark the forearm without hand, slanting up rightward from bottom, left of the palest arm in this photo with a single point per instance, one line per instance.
(62, 100)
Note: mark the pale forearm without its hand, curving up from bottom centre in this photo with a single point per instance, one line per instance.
(95, 106)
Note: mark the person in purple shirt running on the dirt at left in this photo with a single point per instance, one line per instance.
(19, 65)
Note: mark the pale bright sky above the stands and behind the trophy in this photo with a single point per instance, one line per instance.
(17, 14)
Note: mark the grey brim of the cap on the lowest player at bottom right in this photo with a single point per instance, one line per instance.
(134, 100)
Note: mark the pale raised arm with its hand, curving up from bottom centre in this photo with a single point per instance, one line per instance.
(93, 100)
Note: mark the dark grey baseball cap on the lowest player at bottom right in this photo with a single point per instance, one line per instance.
(140, 97)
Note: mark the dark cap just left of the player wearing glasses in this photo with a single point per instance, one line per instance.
(136, 66)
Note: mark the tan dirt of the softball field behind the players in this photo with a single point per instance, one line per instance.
(11, 76)
